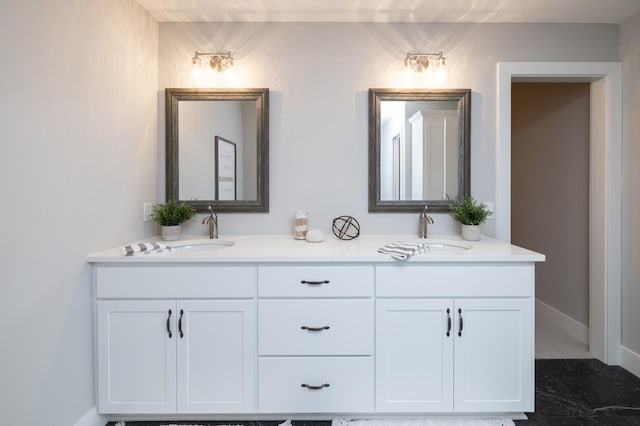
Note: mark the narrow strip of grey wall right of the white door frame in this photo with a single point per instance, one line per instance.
(630, 56)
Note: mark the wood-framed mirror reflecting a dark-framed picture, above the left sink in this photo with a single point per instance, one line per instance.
(217, 148)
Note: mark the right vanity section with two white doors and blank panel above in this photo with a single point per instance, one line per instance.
(454, 338)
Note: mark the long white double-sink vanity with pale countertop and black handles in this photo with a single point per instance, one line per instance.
(272, 327)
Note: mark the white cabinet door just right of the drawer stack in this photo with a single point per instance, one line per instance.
(414, 355)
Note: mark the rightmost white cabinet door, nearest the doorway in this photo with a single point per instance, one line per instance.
(494, 361)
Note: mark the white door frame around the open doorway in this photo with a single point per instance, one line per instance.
(605, 213)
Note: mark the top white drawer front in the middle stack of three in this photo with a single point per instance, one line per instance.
(315, 281)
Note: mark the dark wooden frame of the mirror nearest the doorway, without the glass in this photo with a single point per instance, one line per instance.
(463, 98)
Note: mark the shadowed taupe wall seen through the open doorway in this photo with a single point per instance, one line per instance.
(550, 189)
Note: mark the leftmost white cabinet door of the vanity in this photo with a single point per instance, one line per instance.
(136, 357)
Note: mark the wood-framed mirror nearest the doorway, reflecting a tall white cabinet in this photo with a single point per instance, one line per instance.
(450, 110)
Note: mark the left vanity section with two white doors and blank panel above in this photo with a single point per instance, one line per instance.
(161, 353)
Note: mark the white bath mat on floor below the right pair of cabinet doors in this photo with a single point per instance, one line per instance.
(427, 421)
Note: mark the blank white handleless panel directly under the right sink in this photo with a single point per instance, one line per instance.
(462, 280)
